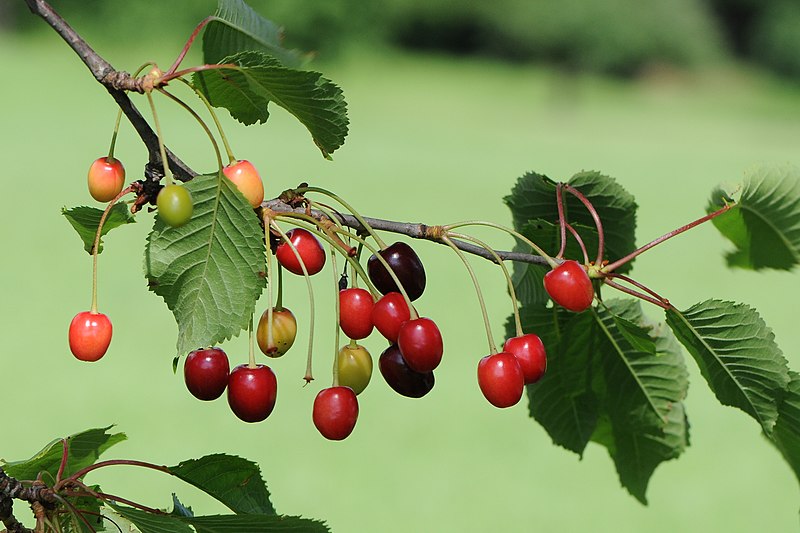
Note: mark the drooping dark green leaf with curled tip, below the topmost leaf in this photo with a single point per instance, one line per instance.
(246, 89)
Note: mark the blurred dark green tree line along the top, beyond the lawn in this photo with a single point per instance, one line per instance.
(611, 36)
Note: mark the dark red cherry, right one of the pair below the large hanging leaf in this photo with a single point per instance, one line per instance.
(252, 392)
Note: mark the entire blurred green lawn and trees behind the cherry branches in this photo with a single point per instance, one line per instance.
(438, 134)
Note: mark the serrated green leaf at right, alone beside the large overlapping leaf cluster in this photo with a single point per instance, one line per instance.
(737, 355)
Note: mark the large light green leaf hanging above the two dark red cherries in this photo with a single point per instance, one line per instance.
(209, 271)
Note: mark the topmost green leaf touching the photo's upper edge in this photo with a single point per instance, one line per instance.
(236, 27)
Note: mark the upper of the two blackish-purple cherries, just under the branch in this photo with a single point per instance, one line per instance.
(406, 265)
